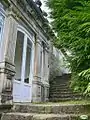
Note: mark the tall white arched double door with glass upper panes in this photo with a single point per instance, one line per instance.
(24, 57)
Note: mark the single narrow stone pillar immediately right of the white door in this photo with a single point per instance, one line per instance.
(36, 87)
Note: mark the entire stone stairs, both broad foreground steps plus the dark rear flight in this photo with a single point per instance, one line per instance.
(59, 91)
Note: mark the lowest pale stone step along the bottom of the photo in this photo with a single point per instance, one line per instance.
(38, 116)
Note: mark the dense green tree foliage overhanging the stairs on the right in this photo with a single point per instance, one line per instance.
(72, 24)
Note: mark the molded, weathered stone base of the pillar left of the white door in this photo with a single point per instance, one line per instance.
(6, 85)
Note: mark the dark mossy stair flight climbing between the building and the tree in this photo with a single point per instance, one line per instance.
(60, 91)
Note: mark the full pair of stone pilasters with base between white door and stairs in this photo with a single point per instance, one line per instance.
(40, 83)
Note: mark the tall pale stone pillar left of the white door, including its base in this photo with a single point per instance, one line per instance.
(7, 53)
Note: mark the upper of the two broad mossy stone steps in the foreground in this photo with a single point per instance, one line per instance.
(52, 108)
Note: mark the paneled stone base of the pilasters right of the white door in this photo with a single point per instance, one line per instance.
(40, 91)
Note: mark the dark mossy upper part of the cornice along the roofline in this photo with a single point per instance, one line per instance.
(32, 11)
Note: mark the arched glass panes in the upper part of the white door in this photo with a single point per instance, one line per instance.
(23, 57)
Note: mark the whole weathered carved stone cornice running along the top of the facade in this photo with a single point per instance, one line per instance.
(29, 8)
